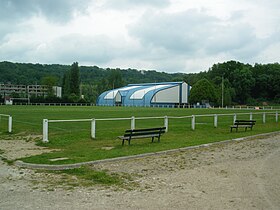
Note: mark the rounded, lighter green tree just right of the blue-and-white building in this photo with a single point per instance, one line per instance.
(203, 90)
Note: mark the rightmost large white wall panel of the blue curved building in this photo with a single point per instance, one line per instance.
(170, 95)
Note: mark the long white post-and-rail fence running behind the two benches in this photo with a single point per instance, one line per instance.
(165, 121)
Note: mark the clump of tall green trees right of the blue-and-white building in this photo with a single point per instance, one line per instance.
(233, 82)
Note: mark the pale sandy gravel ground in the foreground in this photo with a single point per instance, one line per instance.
(235, 175)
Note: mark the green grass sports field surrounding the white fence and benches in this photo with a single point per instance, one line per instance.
(74, 142)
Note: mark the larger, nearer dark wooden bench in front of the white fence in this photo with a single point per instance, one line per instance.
(142, 133)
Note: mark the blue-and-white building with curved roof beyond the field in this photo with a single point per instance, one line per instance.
(147, 94)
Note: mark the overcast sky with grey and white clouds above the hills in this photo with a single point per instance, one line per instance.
(185, 36)
